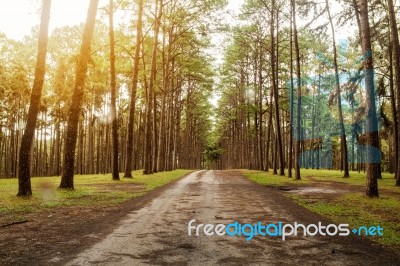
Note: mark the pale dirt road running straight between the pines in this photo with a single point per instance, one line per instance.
(157, 234)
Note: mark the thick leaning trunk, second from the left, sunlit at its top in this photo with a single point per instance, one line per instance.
(75, 110)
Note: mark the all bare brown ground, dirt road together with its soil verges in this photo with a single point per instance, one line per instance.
(153, 229)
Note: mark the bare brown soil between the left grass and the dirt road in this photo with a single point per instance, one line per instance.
(53, 236)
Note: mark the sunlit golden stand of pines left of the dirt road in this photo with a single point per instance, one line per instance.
(78, 134)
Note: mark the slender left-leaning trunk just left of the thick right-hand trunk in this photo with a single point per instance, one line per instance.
(343, 142)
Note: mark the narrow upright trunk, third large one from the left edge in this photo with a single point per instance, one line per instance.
(114, 114)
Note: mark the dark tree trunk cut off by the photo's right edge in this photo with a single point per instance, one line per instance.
(396, 59)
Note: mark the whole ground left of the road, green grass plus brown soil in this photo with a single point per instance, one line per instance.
(54, 224)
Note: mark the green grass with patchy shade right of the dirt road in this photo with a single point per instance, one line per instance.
(353, 208)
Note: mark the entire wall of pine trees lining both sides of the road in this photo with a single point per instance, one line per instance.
(141, 92)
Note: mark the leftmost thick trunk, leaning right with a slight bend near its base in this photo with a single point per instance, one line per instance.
(24, 167)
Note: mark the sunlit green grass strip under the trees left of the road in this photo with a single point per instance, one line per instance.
(90, 190)
